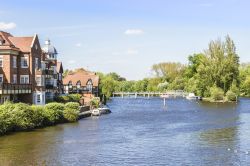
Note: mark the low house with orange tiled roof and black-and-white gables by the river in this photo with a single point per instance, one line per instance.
(82, 82)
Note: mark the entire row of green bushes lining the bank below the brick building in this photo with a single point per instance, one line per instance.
(24, 117)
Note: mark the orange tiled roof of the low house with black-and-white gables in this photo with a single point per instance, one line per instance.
(83, 76)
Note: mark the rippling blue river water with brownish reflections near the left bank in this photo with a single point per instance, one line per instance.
(140, 132)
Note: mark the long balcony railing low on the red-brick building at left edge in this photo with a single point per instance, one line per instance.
(7, 88)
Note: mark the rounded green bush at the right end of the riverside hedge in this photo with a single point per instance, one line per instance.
(71, 111)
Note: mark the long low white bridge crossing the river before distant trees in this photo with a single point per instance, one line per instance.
(173, 93)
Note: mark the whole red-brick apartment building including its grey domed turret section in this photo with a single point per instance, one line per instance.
(28, 73)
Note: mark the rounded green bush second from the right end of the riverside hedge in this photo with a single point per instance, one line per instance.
(54, 113)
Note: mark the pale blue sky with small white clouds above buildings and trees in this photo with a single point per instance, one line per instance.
(128, 36)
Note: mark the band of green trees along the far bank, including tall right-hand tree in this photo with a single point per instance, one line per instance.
(215, 74)
